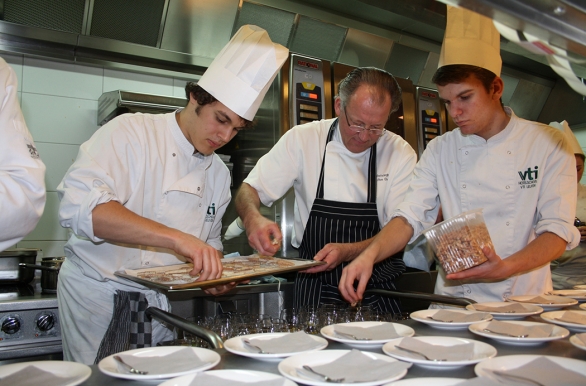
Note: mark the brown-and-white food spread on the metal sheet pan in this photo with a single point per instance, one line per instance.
(232, 267)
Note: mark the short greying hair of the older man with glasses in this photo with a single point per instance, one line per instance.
(380, 79)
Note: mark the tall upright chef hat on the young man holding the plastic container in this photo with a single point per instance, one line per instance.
(472, 39)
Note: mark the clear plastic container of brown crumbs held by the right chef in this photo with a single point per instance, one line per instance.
(458, 241)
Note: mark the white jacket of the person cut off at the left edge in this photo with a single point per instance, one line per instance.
(22, 173)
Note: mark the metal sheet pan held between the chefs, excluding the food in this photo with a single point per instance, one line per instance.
(300, 264)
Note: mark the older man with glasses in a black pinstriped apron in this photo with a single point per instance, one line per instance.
(348, 174)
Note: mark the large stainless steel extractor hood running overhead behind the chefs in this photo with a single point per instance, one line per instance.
(167, 37)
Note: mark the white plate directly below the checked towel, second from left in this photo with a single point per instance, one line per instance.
(109, 367)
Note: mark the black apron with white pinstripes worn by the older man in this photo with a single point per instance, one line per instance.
(343, 222)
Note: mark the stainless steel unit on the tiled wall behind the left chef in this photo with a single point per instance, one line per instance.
(114, 103)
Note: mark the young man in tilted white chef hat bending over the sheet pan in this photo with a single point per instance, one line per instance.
(148, 190)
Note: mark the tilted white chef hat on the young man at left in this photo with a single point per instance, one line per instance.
(242, 72)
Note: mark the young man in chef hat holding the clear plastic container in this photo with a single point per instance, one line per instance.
(521, 173)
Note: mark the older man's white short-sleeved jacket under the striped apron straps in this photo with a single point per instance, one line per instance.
(296, 161)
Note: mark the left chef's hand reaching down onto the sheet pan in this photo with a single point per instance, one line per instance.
(205, 258)
